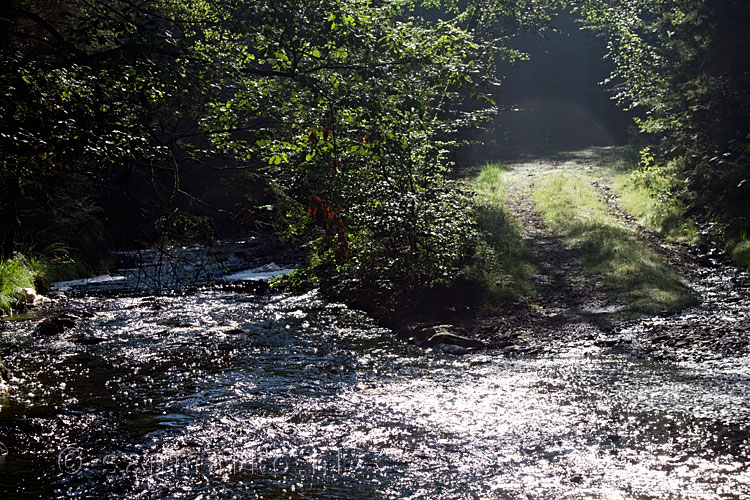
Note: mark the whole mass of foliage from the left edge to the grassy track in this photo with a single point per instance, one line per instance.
(344, 113)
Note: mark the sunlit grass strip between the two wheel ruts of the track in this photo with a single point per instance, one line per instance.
(633, 273)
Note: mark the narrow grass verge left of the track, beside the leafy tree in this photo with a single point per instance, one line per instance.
(504, 264)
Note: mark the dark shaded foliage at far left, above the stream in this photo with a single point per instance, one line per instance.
(93, 95)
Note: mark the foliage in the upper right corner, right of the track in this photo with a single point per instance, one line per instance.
(682, 64)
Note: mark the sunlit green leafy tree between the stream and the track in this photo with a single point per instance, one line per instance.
(353, 110)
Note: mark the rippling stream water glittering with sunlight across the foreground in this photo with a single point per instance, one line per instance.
(225, 395)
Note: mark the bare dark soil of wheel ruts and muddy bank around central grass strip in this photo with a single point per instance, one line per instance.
(571, 306)
